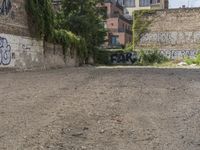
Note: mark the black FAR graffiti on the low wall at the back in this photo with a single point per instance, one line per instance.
(124, 58)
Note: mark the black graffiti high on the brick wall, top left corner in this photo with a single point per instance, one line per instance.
(5, 7)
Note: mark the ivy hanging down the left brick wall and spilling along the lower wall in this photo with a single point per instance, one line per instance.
(41, 19)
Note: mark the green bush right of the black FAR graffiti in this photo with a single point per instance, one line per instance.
(151, 57)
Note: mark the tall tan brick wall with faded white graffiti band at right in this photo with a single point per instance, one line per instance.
(173, 29)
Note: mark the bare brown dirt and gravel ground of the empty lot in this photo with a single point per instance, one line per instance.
(100, 109)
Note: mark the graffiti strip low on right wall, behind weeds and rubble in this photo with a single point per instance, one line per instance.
(179, 54)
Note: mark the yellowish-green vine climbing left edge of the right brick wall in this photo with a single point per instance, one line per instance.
(140, 25)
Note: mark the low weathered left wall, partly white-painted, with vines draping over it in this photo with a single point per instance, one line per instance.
(22, 52)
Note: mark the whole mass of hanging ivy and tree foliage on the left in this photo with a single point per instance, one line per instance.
(78, 25)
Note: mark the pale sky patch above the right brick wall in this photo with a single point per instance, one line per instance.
(179, 3)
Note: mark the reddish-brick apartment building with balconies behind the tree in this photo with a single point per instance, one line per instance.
(119, 28)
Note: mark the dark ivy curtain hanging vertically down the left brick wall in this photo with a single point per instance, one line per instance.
(40, 18)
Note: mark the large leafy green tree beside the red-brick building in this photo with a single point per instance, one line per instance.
(85, 19)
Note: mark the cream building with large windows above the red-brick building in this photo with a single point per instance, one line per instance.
(131, 5)
